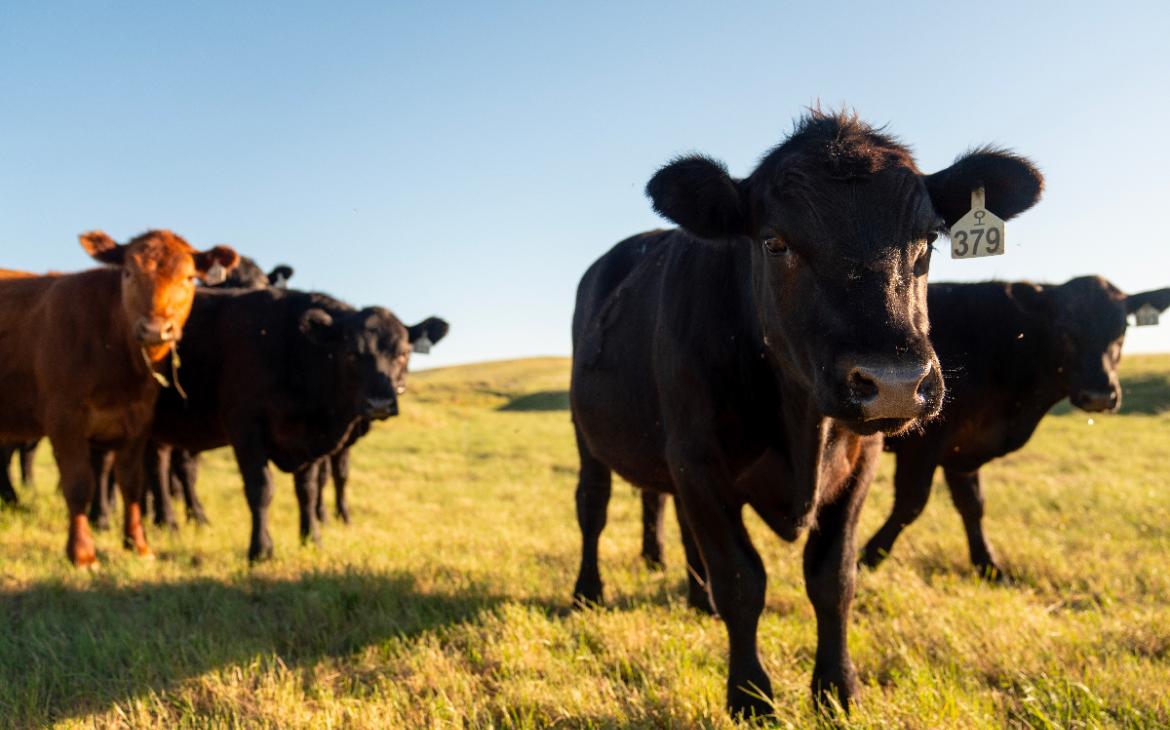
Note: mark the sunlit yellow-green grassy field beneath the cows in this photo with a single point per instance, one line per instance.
(445, 603)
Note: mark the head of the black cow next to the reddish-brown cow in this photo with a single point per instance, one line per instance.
(374, 353)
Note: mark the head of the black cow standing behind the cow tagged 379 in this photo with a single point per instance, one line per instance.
(1088, 318)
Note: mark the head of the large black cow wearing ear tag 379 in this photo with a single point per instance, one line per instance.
(841, 225)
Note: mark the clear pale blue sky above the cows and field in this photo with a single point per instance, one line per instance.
(472, 160)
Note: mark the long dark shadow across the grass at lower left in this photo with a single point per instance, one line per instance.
(67, 652)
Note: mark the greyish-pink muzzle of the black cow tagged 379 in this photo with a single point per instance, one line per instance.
(887, 391)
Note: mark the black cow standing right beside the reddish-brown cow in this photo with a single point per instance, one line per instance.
(284, 377)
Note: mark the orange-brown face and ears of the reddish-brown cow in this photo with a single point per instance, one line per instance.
(160, 271)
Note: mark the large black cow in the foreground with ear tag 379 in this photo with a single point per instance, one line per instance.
(751, 359)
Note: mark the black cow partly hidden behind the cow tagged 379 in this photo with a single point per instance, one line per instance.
(1011, 352)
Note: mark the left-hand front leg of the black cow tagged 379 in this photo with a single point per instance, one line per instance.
(735, 571)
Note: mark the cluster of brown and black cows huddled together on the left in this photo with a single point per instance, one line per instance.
(133, 370)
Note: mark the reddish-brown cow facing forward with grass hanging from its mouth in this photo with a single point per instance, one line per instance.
(82, 356)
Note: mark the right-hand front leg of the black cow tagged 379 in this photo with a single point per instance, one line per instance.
(830, 573)
